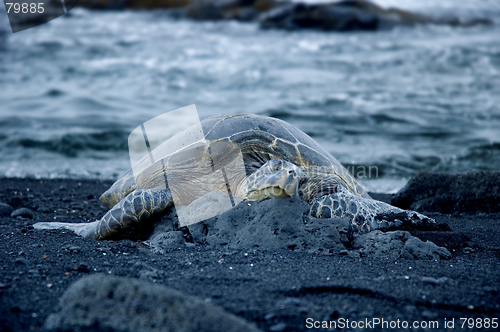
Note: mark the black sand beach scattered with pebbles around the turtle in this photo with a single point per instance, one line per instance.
(281, 290)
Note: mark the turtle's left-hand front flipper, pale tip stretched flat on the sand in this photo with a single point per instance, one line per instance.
(125, 218)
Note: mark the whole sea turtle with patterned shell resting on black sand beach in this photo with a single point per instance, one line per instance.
(279, 161)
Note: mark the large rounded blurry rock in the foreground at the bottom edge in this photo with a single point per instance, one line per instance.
(93, 301)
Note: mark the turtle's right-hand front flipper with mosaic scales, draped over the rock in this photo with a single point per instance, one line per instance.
(365, 214)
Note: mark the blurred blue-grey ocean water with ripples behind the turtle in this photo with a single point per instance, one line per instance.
(386, 104)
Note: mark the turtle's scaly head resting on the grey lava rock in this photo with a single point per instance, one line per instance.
(275, 179)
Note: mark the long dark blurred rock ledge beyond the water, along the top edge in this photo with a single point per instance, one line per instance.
(346, 15)
